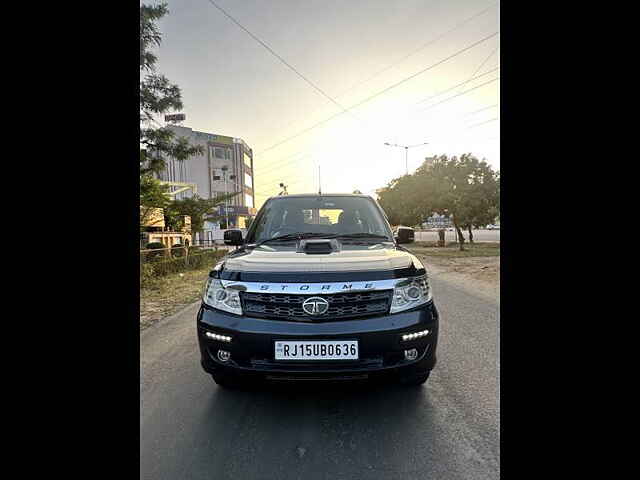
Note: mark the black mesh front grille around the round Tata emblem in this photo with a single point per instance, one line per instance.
(341, 305)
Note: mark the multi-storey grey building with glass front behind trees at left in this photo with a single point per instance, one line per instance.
(225, 166)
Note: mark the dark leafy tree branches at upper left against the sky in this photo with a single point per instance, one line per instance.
(157, 96)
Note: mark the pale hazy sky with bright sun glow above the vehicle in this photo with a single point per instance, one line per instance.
(394, 66)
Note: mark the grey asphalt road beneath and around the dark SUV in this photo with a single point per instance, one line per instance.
(448, 429)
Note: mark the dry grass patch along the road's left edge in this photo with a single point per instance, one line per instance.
(166, 295)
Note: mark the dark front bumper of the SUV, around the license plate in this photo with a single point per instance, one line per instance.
(381, 348)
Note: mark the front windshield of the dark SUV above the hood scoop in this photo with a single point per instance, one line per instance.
(330, 215)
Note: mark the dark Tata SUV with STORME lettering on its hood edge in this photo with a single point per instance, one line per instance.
(319, 289)
